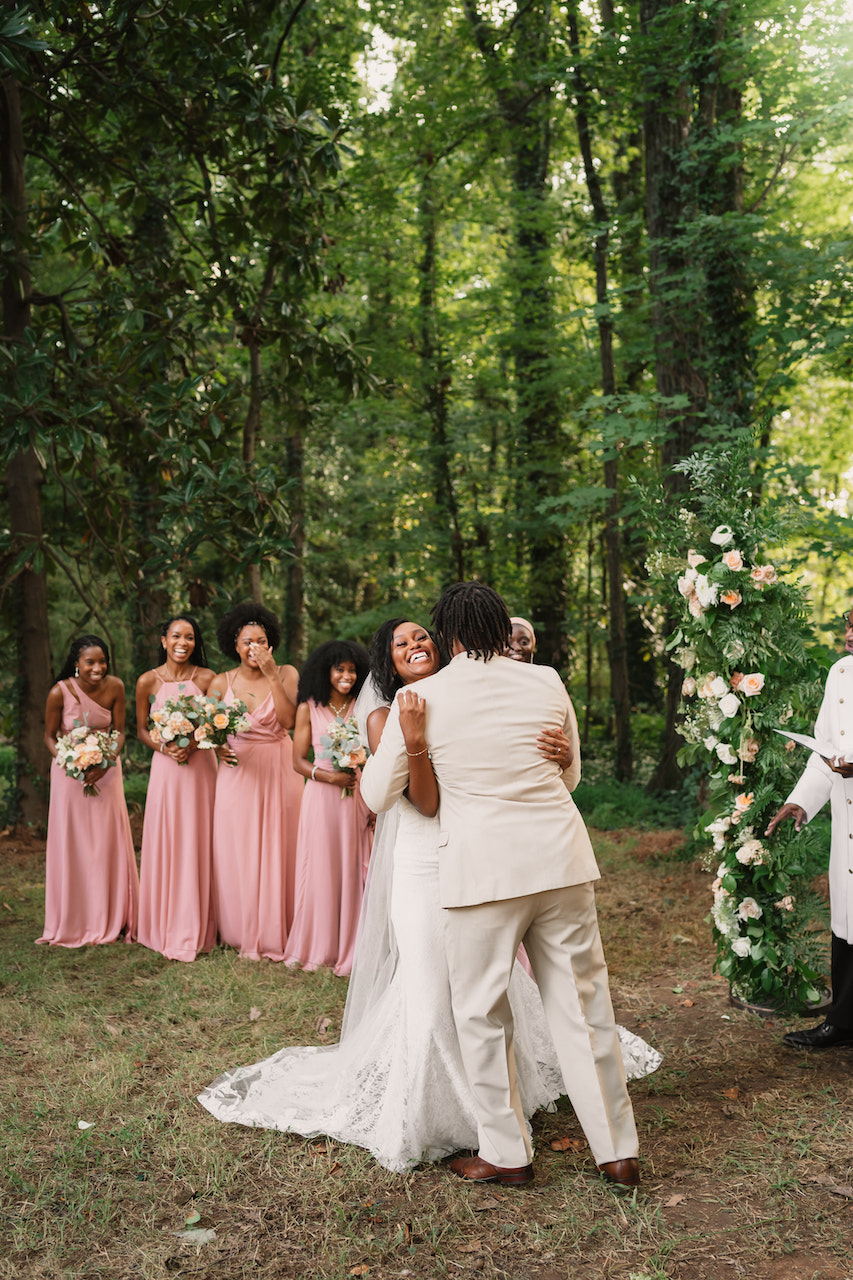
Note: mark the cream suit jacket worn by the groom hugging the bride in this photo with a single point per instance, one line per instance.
(509, 826)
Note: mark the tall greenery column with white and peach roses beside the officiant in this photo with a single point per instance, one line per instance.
(742, 636)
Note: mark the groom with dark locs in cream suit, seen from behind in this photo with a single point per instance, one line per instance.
(516, 865)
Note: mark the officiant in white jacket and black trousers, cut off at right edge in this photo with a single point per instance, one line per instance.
(832, 780)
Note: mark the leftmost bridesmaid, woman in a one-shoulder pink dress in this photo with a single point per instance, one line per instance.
(92, 884)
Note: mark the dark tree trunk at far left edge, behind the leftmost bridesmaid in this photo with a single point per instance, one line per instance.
(24, 484)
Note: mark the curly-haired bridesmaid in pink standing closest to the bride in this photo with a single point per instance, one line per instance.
(335, 836)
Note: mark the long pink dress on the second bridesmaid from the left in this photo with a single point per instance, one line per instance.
(176, 876)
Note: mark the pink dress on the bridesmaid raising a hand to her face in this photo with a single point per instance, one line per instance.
(256, 824)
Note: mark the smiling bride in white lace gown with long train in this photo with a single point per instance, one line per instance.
(395, 1085)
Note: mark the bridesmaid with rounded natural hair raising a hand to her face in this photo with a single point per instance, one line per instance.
(258, 794)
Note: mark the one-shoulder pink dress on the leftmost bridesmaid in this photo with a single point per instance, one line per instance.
(92, 883)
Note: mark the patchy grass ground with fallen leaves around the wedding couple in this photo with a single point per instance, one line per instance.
(746, 1146)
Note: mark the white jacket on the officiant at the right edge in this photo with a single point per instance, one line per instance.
(818, 785)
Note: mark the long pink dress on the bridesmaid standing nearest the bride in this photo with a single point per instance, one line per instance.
(332, 853)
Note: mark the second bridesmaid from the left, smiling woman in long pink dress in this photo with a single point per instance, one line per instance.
(176, 894)
